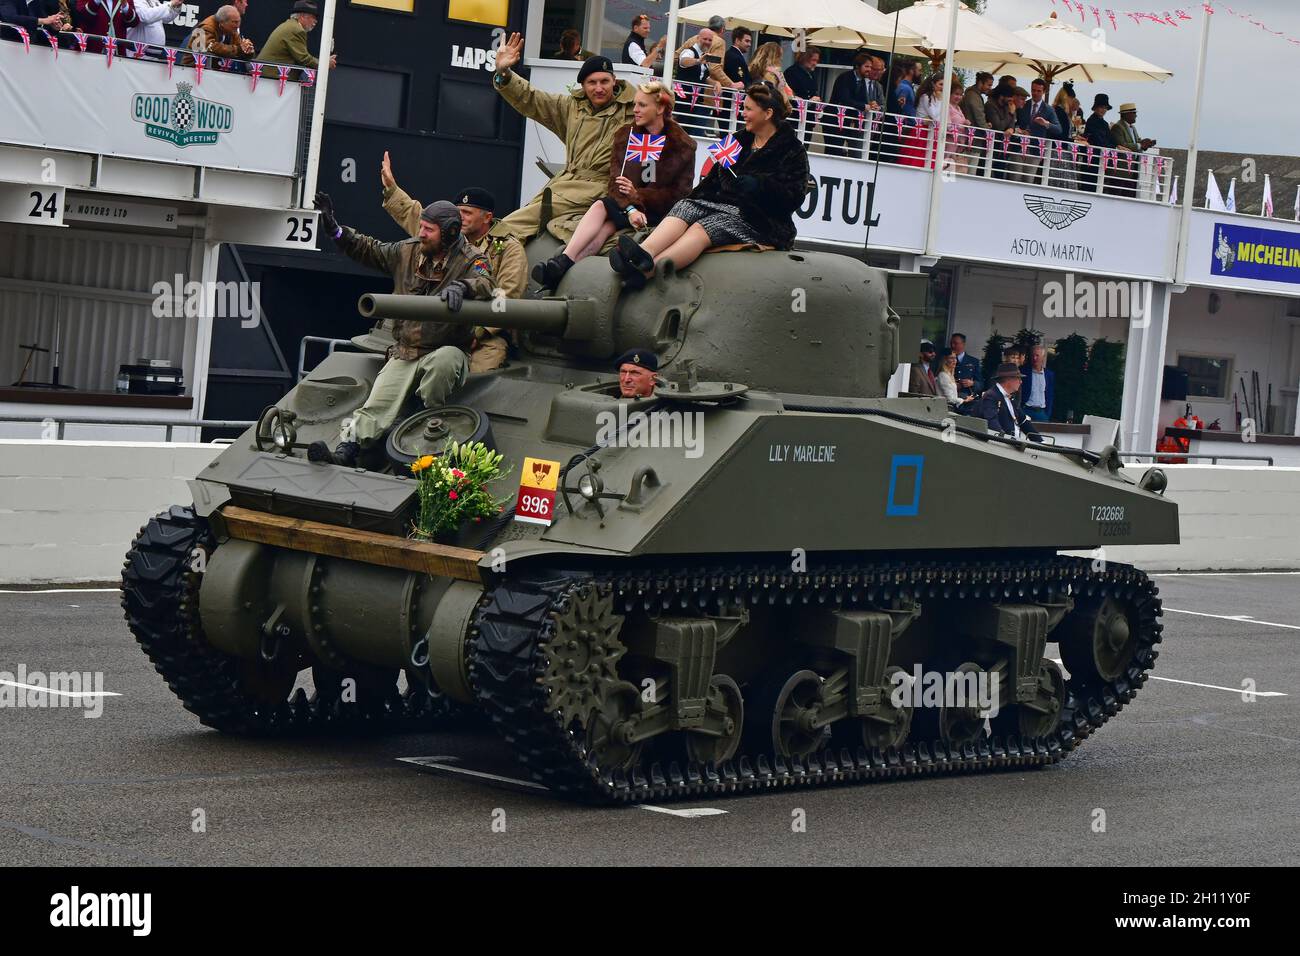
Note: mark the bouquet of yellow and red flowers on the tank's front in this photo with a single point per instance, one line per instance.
(454, 488)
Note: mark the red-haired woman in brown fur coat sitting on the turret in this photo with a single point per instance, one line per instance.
(639, 194)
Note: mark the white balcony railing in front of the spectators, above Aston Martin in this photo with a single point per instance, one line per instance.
(903, 141)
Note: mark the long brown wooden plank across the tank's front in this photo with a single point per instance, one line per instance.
(369, 548)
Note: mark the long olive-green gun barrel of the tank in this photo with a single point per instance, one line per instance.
(570, 319)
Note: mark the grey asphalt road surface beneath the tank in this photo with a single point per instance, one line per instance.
(1190, 773)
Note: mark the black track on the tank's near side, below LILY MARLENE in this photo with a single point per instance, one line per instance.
(518, 618)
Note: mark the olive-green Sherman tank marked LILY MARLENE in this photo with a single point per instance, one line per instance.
(749, 581)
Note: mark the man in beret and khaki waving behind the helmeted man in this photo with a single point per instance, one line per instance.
(506, 254)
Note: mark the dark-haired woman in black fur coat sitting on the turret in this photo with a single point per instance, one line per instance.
(752, 204)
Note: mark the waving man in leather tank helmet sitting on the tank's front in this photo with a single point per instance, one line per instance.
(428, 358)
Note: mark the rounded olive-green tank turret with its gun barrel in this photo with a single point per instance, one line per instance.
(803, 323)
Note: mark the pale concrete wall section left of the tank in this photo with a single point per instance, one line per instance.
(70, 509)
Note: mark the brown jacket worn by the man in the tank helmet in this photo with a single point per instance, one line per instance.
(415, 275)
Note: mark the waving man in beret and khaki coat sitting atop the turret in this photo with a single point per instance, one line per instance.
(586, 120)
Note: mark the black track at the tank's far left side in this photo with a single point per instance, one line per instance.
(161, 599)
